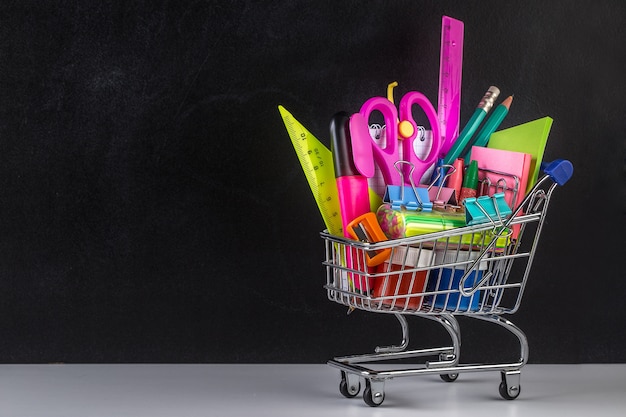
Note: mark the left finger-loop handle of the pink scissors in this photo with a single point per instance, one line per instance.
(385, 156)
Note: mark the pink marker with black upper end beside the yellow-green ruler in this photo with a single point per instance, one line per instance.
(352, 187)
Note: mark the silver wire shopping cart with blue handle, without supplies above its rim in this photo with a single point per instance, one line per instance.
(462, 271)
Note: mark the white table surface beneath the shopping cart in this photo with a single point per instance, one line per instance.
(298, 390)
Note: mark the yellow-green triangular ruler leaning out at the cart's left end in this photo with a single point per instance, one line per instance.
(317, 164)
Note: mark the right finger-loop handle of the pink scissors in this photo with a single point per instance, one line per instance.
(409, 143)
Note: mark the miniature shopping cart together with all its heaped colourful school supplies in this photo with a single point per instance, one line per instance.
(424, 218)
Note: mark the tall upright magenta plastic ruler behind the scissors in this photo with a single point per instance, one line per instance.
(450, 66)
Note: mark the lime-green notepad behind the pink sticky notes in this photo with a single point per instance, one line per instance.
(530, 137)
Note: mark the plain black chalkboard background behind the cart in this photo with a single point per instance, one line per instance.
(152, 208)
